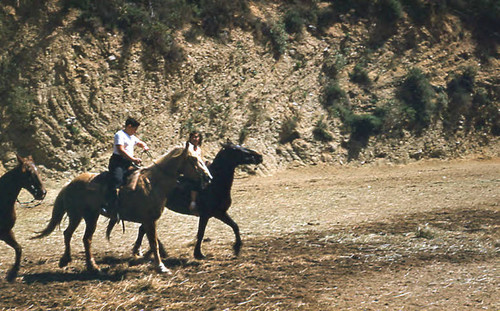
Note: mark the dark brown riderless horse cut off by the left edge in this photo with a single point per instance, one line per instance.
(24, 175)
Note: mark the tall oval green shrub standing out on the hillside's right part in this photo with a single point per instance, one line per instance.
(417, 95)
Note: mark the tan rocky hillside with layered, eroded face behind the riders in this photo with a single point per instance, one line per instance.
(67, 87)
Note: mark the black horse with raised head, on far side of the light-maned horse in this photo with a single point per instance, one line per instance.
(215, 199)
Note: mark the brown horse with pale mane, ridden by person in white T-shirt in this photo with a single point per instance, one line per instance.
(84, 195)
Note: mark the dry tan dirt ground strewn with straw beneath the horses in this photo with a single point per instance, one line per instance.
(420, 236)
